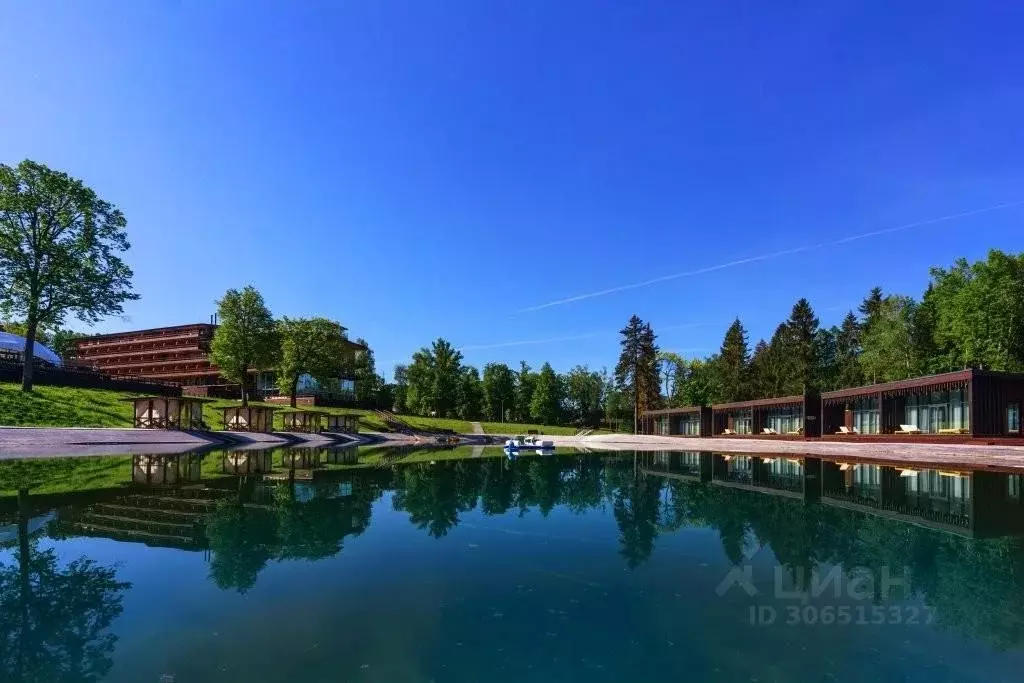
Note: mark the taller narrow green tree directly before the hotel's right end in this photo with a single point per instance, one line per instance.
(247, 338)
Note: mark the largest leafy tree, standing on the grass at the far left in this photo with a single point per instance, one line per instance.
(61, 249)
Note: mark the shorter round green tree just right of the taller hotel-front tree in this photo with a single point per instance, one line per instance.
(314, 347)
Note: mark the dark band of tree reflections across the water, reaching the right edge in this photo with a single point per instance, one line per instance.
(975, 586)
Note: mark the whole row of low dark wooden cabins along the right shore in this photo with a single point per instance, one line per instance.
(969, 403)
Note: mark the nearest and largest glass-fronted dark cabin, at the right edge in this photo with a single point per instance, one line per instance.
(969, 403)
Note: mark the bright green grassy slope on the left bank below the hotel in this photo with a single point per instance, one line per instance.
(69, 407)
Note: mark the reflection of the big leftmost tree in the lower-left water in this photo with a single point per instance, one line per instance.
(54, 619)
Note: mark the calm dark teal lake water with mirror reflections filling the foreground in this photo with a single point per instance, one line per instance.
(657, 567)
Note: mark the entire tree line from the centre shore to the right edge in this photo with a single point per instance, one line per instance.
(970, 316)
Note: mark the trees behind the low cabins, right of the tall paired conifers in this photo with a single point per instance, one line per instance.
(970, 316)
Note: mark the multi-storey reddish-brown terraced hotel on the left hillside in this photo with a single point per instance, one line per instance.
(181, 355)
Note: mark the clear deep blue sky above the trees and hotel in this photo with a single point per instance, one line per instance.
(416, 169)
